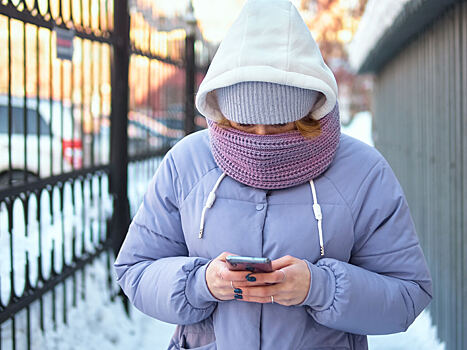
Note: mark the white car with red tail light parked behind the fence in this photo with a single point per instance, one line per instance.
(50, 153)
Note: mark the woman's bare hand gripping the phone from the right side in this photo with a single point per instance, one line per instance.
(291, 282)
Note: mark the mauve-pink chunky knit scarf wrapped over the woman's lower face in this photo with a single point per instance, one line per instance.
(278, 160)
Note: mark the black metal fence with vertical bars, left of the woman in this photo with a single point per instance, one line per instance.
(91, 97)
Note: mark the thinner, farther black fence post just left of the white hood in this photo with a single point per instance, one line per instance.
(190, 70)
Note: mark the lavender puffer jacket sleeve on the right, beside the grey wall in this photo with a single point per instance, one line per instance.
(386, 283)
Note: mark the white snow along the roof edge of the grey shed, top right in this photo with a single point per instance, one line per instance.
(379, 15)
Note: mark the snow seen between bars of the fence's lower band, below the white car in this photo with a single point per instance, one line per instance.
(53, 233)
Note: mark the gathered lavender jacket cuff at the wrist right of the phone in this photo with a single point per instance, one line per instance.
(322, 288)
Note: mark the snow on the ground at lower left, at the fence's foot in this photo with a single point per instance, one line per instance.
(95, 324)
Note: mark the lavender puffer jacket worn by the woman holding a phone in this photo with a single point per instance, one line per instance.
(373, 278)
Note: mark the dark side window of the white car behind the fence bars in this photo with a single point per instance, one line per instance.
(17, 117)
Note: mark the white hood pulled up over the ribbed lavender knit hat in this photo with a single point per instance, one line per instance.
(269, 42)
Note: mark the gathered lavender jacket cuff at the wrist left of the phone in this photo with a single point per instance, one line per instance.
(196, 290)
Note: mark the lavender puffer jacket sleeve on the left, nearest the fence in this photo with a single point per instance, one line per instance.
(153, 267)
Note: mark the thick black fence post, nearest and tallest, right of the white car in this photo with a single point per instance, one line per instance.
(119, 124)
